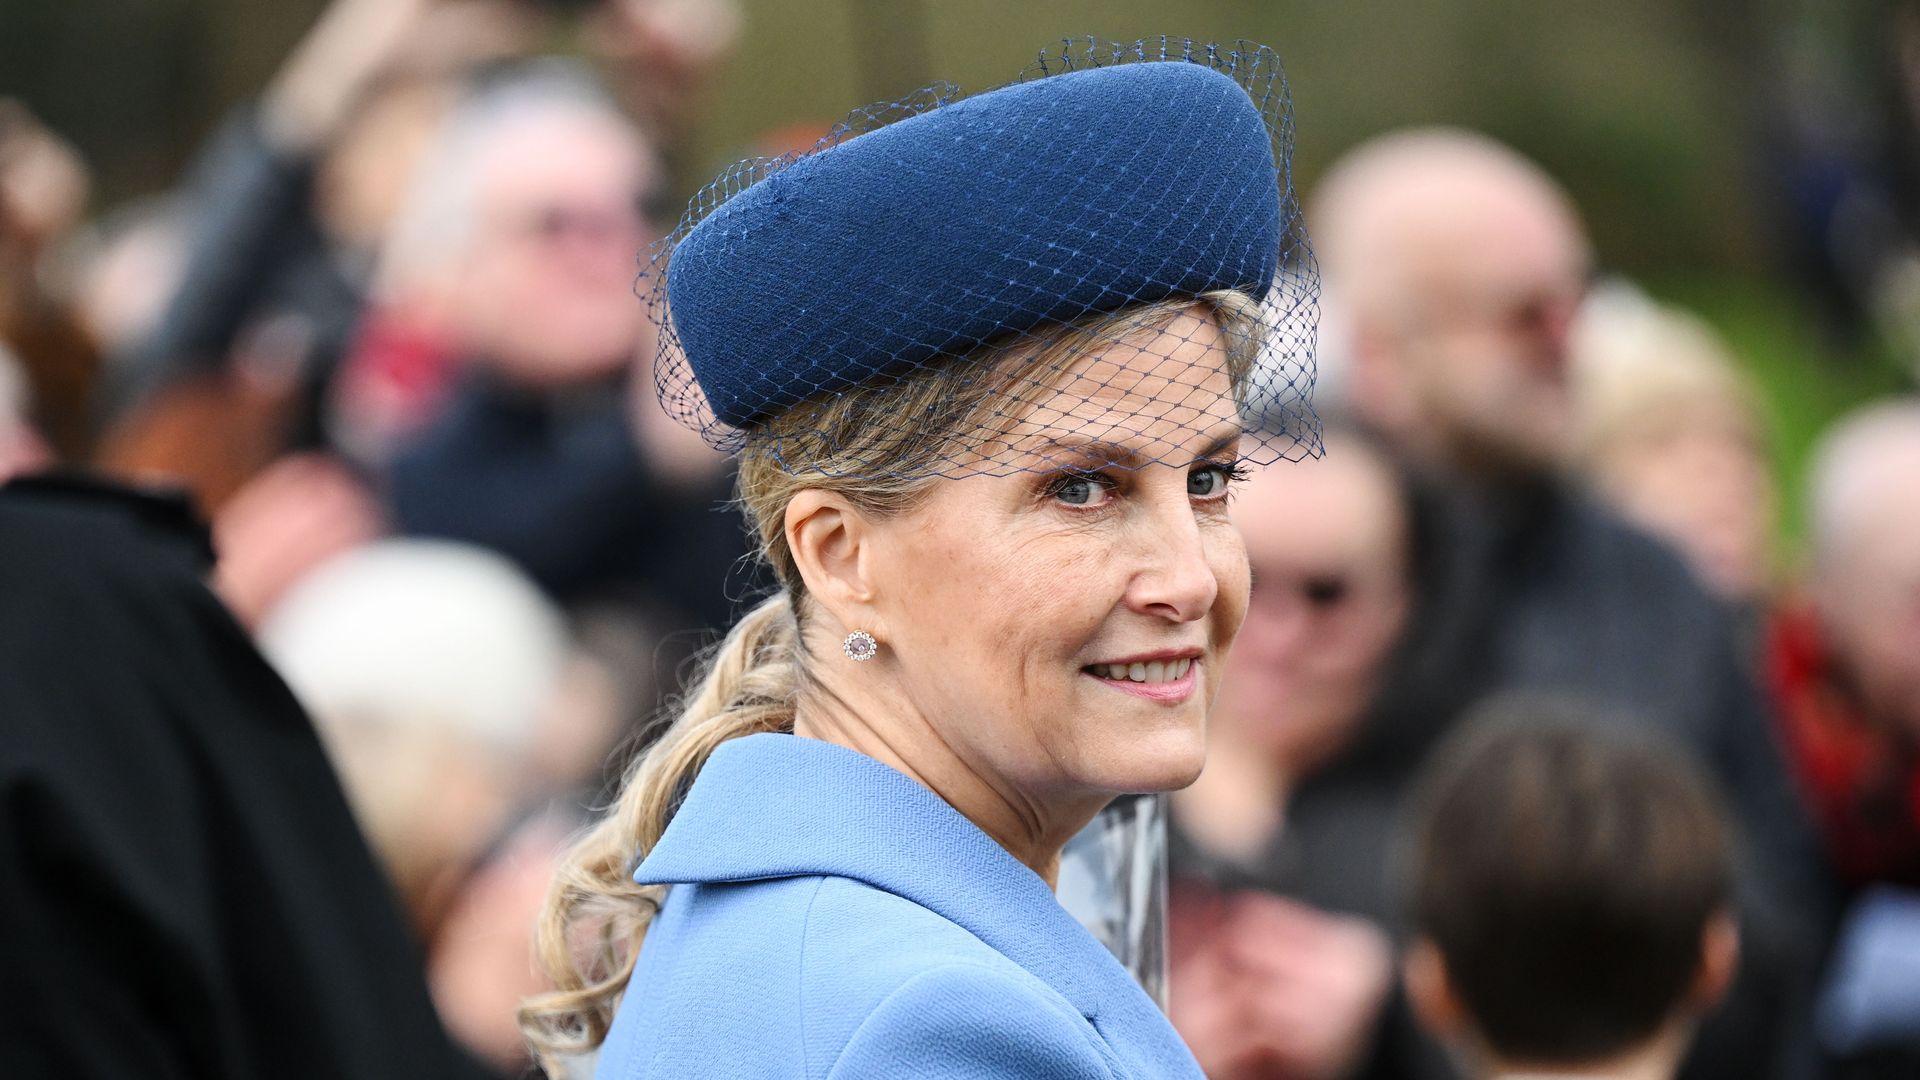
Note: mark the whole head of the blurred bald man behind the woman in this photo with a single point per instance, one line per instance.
(1460, 270)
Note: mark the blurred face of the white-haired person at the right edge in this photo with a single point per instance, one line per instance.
(1871, 606)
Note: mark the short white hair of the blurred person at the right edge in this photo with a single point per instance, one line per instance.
(1861, 464)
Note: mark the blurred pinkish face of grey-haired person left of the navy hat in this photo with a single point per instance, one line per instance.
(548, 291)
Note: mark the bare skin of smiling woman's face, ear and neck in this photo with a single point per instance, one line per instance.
(1001, 602)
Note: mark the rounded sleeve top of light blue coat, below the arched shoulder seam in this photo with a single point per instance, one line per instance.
(963, 1021)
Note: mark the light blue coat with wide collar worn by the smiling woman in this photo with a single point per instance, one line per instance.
(834, 920)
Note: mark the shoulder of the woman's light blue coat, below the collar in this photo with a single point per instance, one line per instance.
(832, 977)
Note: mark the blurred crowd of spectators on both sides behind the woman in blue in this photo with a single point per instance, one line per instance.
(1537, 752)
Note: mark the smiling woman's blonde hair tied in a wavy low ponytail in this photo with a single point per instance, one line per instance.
(596, 916)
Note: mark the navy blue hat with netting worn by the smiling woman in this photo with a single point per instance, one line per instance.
(1115, 182)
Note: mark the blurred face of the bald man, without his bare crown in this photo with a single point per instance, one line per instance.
(1481, 330)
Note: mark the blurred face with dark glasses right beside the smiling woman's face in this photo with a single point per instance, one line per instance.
(1328, 549)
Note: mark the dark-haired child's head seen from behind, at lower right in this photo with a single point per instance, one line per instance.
(1572, 896)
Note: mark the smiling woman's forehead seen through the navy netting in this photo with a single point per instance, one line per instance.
(1159, 395)
